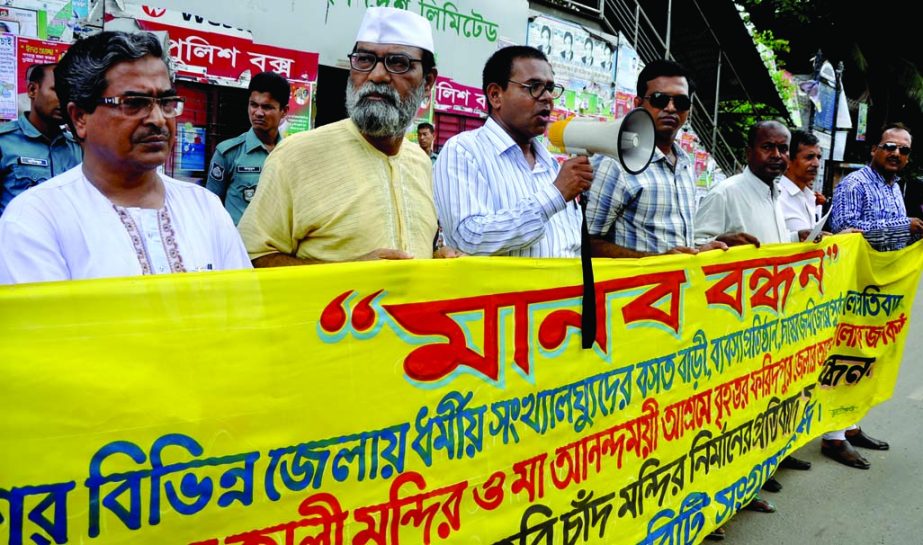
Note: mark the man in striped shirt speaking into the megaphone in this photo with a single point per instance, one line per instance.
(498, 191)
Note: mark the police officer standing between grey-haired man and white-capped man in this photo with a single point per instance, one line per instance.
(237, 163)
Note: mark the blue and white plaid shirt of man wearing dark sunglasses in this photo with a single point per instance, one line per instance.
(648, 212)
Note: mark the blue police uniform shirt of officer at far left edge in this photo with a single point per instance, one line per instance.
(27, 158)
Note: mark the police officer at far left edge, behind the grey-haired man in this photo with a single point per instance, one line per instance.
(33, 148)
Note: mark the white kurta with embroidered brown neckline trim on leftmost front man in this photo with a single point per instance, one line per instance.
(65, 229)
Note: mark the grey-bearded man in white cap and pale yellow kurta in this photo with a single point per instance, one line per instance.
(355, 189)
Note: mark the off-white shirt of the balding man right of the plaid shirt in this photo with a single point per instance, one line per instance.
(742, 203)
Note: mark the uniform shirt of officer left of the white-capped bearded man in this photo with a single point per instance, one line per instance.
(235, 171)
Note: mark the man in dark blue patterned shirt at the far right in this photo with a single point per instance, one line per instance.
(870, 199)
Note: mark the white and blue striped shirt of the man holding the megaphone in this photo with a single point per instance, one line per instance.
(490, 202)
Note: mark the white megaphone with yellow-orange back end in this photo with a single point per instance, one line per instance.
(629, 139)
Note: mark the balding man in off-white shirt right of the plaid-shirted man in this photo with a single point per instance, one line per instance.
(749, 201)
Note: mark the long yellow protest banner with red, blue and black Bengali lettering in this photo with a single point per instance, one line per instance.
(435, 402)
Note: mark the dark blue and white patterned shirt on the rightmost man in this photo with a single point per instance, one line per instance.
(864, 200)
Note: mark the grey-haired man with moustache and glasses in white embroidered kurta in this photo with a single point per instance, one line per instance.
(116, 216)
